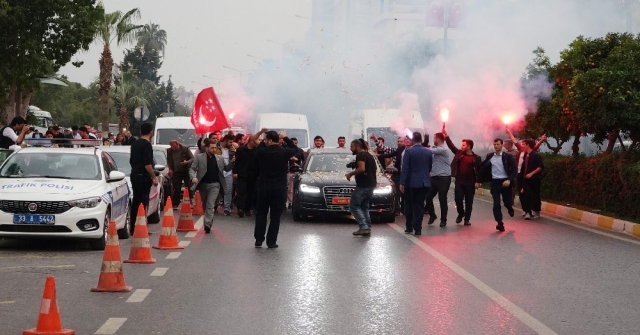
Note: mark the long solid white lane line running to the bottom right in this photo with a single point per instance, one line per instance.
(510, 307)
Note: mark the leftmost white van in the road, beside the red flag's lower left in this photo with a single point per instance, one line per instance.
(175, 128)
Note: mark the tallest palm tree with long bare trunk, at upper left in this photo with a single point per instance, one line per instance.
(119, 27)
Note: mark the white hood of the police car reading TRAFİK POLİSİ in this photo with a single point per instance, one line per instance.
(47, 186)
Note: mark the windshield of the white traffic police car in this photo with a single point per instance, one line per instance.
(51, 165)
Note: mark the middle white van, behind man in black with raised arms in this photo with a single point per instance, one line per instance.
(295, 125)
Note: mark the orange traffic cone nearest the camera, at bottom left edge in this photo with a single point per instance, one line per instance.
(49, 319)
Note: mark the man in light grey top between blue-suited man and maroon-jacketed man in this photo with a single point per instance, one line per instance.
(440, 180)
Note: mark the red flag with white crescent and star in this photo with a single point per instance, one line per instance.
(207, 115)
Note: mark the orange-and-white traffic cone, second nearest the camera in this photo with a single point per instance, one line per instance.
(111, 276)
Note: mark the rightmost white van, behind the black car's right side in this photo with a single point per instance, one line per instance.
(382, 123)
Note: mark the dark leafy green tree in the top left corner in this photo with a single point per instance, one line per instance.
(38, 38)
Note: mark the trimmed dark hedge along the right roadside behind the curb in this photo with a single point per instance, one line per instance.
(603, 182)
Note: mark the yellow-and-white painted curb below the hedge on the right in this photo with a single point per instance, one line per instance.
(588, 218)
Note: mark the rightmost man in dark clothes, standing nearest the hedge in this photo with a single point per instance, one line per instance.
(529, 180)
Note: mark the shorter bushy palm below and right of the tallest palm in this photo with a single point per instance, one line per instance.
(130, 93)
